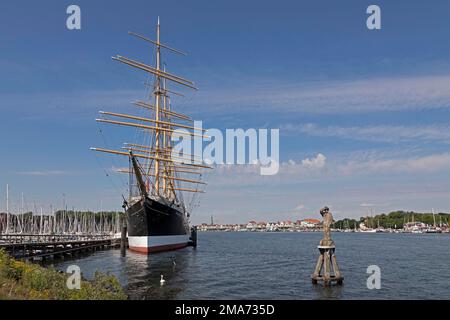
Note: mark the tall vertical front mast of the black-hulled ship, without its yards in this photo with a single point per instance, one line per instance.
(157, 107)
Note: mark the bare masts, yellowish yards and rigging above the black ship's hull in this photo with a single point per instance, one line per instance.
(161, 166)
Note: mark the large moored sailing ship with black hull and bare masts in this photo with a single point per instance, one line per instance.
(156, 210)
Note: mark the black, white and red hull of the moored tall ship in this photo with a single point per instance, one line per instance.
(154, 227)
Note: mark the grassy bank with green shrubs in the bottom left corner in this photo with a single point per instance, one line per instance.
(22, 280)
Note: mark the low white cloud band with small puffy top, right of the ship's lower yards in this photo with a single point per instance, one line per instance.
(317, 169)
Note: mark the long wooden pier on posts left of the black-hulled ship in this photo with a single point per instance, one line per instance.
(30, 246)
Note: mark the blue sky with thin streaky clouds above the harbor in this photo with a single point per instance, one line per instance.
(364, 116)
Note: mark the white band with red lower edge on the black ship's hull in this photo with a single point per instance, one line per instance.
(148, 244)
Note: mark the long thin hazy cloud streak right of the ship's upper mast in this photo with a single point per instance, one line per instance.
(356, 96)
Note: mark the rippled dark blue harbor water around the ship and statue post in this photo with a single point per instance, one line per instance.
(259, 265)
